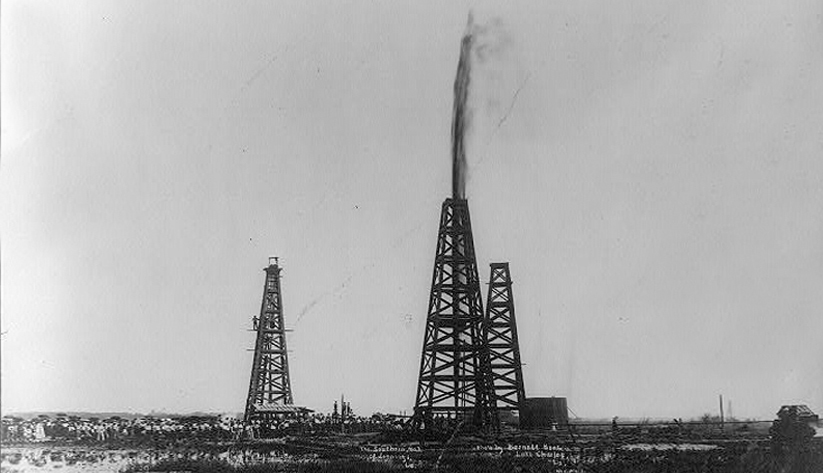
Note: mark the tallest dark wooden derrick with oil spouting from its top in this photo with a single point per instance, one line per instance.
(454, 377)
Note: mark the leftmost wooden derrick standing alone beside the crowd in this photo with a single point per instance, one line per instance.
(269, 384)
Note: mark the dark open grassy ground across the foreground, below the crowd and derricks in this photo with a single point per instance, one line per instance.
(624, 450)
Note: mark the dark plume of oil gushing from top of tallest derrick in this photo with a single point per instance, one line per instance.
(461, 115)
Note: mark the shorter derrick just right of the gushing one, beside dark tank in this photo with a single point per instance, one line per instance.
(501, 339)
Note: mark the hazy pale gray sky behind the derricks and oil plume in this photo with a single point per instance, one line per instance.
(657, 186)
